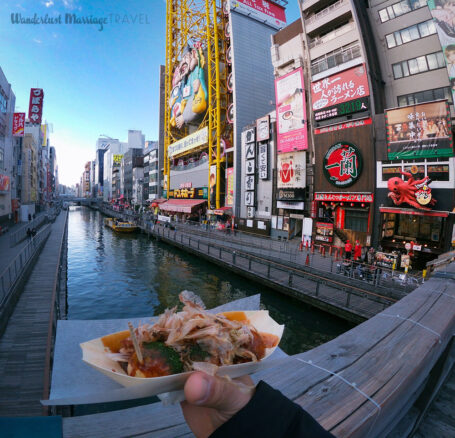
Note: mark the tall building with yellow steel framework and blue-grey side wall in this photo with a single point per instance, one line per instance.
(203, 123)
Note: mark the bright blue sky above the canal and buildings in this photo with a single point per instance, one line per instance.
(95, 82)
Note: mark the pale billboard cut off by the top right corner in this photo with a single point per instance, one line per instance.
(443, 13)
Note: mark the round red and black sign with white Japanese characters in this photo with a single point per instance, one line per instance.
(342, 164)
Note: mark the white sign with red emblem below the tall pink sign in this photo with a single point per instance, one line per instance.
(291, 176)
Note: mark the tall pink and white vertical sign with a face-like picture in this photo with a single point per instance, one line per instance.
(291, 112)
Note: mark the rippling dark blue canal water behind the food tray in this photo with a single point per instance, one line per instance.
(119, 276)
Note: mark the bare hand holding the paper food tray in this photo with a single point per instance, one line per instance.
(211, 401)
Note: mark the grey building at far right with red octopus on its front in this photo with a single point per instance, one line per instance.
(415, 130)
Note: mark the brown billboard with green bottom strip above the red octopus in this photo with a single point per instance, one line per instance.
(419, 131)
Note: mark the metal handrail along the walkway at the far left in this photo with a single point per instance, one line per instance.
(15, 269)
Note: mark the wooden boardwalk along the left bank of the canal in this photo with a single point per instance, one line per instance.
(23, 345)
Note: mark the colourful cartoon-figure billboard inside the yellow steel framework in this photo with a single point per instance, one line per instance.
(188, 99)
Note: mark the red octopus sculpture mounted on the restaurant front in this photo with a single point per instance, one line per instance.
(405, 191)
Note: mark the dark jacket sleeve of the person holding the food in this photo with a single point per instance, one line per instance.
(270, 414)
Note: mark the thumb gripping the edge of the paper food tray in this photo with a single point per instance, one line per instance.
(204, 390)
